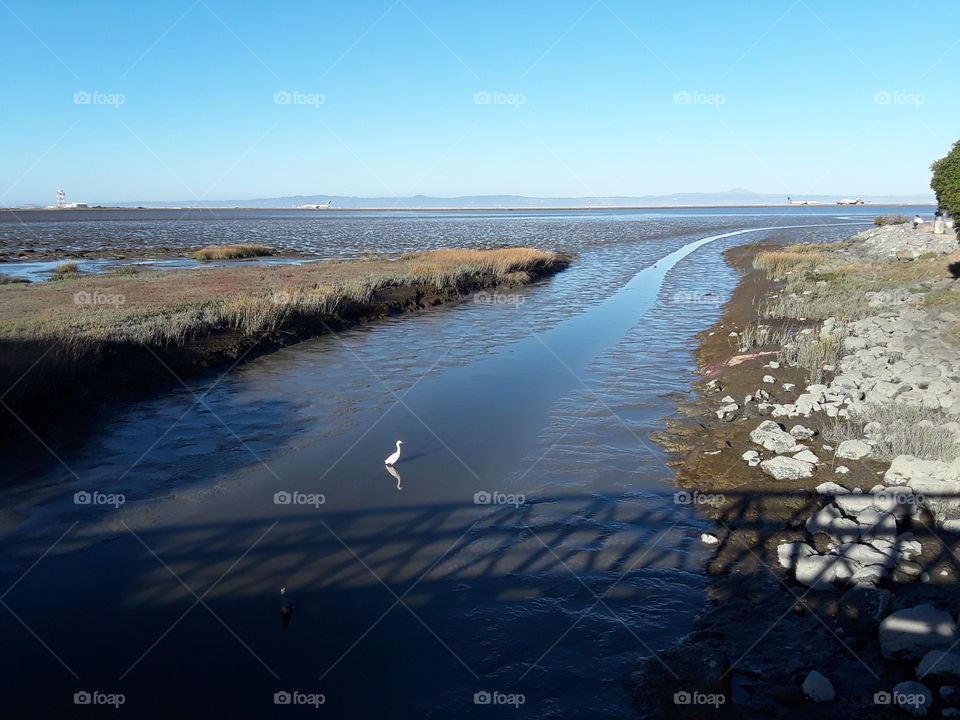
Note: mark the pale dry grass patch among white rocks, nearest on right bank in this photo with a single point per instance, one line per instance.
(907, 430)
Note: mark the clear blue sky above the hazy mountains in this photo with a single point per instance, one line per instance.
(812, 96)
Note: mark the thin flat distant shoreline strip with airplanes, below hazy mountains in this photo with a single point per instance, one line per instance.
(524, 208)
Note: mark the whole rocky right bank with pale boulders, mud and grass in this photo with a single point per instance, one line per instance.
(823, 443)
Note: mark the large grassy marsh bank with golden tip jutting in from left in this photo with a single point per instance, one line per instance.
(159, 307)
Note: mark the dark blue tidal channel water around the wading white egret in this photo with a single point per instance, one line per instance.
(407, 601)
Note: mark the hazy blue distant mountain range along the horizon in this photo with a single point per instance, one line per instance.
(737, 196)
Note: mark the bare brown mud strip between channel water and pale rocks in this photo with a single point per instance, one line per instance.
(762, 632)
